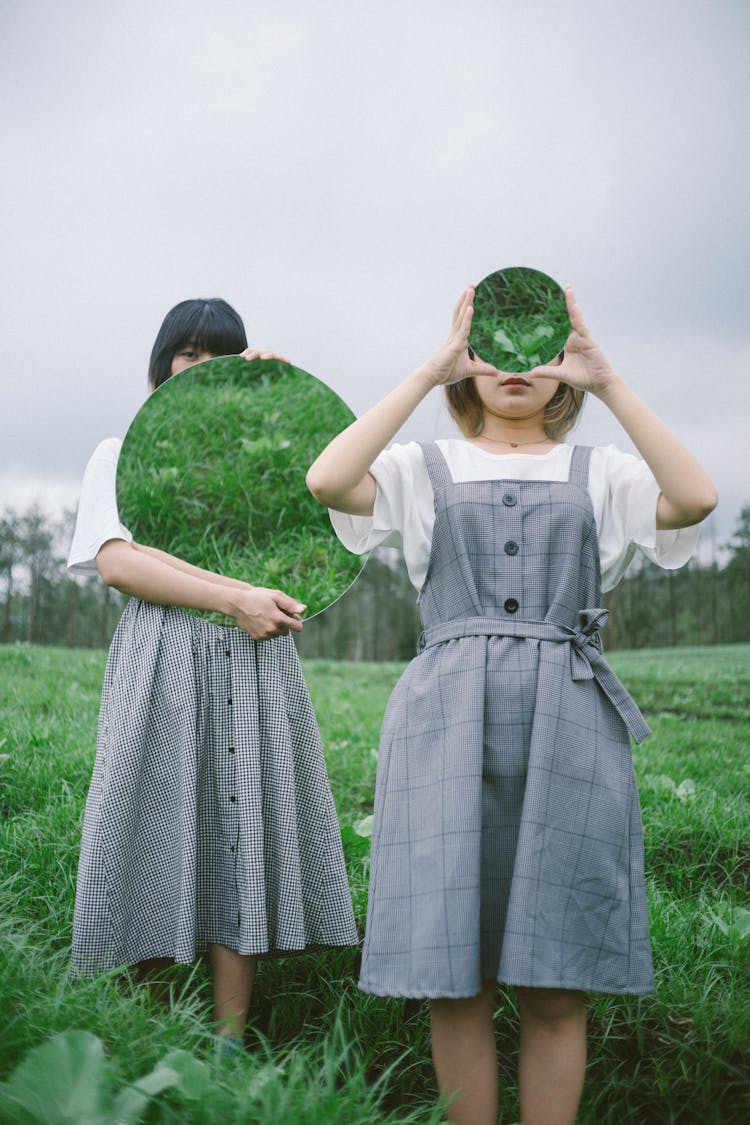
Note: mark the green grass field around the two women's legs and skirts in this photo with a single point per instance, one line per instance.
(321, 1051)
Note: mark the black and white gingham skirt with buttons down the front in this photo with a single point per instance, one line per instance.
(210, 816)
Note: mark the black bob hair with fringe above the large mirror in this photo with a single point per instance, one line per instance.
(209, 326)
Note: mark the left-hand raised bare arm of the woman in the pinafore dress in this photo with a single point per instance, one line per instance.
(340, 478)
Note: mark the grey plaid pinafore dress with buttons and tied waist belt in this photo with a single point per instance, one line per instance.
(508, 840)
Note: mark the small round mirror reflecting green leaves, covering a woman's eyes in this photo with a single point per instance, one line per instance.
(521, 320)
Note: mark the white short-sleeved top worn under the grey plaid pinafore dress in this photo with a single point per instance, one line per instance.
(622, 489)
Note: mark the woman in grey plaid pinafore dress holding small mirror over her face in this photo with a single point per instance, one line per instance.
(508, 841)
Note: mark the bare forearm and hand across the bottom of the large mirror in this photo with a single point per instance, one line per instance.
(142, 573)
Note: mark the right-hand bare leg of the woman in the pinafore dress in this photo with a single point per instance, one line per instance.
(553, 1055)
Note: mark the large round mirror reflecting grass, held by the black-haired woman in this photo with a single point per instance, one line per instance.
(213, 472)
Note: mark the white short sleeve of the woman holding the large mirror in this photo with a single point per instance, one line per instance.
(97, 519)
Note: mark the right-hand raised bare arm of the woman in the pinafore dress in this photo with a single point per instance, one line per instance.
(688, 493)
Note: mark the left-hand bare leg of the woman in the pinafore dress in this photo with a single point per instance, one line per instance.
(465, 1057)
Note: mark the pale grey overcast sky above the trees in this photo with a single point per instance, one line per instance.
(340, 170)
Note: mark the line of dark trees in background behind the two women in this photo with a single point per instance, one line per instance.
(377, 619)
